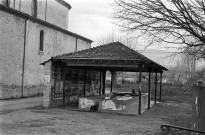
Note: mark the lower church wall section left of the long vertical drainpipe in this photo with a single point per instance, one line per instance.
(11, 54)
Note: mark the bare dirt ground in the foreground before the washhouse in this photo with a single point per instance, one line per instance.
(64, 121)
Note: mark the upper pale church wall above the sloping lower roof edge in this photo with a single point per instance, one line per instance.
(47, 10)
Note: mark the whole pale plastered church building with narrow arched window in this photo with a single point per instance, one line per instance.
(31, 32)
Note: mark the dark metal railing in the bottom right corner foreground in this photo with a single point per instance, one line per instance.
(175, 130)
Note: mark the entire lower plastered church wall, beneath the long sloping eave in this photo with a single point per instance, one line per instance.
(11, 54)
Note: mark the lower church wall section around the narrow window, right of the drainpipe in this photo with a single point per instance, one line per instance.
(55, 43)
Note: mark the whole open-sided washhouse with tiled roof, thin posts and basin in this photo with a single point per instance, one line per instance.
(78, 79)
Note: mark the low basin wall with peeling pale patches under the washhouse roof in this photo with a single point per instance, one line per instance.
(111, 103)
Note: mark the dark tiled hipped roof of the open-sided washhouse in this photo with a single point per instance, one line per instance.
(115, 51)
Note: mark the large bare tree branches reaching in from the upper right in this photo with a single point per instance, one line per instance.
(179, 22)
